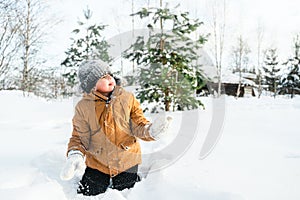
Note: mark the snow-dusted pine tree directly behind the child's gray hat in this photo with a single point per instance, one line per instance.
(88, 44)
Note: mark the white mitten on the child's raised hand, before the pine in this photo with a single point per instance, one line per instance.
(160, 126)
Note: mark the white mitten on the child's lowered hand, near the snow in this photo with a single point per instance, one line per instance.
(75, 163)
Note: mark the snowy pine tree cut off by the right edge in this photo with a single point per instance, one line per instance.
(290, 83)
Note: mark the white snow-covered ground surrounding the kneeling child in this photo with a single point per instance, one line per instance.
(256, 158)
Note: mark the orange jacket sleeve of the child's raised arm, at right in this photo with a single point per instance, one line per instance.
(139, 124)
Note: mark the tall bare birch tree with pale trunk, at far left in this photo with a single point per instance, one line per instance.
(32, 34)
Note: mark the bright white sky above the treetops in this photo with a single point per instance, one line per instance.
(279, 20)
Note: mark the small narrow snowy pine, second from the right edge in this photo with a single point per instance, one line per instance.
(271, 70)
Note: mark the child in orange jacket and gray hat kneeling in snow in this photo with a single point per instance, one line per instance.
(107, 122)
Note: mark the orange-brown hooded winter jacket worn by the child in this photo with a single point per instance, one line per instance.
(106, 132)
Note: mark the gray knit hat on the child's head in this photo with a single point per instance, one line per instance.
(90, 71)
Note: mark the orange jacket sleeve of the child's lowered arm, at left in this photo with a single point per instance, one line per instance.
(81, 132)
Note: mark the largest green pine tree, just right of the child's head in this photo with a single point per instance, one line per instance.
(168, 72)
